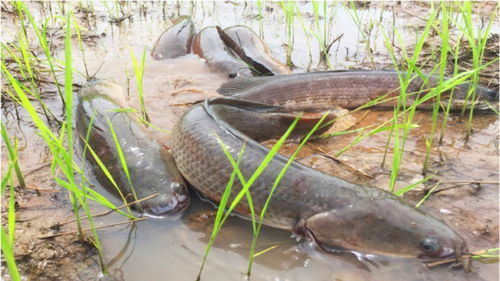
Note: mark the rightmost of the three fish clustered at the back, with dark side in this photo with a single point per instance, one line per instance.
(248, 46)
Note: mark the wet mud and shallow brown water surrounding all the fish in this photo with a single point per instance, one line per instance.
(467, 169)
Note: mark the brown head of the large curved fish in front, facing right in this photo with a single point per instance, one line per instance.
(385, 226)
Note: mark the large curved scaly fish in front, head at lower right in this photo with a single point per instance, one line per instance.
(330, 210)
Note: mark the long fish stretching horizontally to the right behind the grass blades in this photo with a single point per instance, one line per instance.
(346, 89)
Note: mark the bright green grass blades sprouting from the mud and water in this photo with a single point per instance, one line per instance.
(29, 65)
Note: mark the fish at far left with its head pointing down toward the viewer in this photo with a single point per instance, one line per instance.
(150, 165)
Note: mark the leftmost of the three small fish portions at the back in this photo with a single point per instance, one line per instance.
(175, 41)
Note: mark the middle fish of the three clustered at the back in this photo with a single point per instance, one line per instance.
(208, 45)
